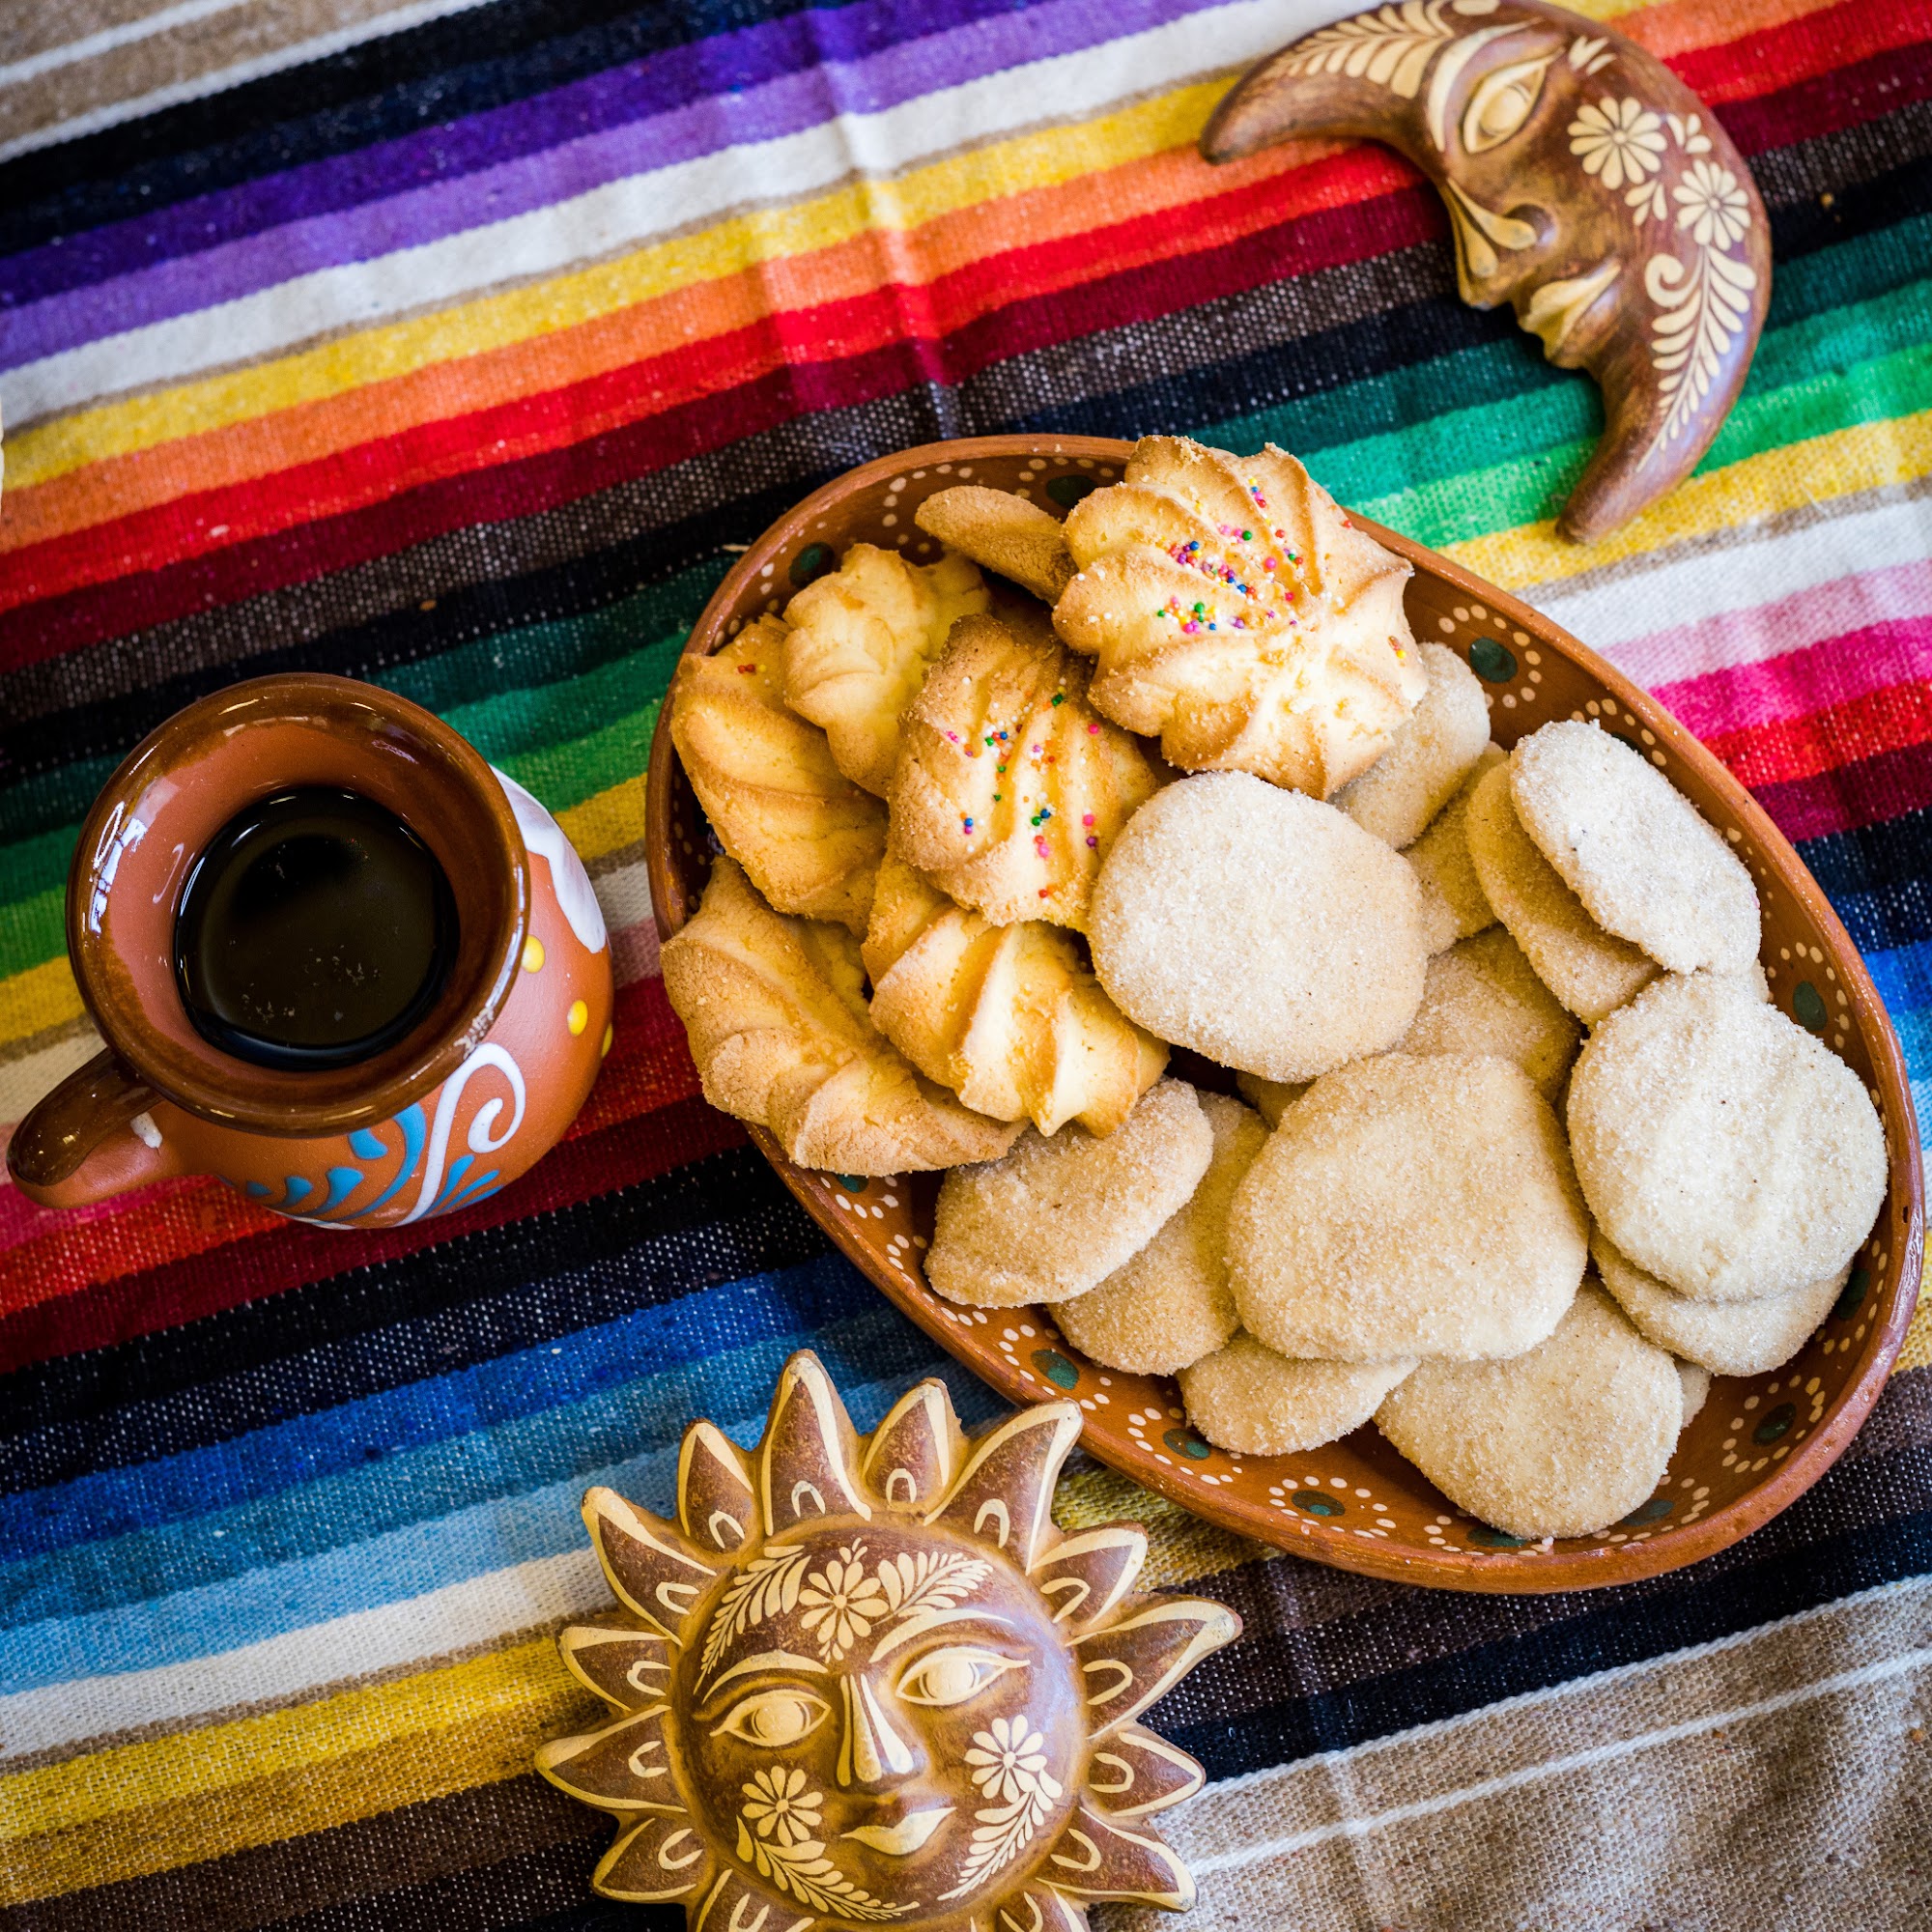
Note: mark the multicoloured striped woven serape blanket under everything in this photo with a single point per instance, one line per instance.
(453, 345)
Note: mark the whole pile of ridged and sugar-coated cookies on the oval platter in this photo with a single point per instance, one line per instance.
(1523, 1152)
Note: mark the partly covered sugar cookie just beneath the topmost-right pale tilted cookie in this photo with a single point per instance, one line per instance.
(1591, 971)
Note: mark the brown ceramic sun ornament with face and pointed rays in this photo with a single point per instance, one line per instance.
(867, 1682)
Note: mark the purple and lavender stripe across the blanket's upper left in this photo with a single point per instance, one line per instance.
(675, 107)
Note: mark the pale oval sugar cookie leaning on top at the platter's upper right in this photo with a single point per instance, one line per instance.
(1645, 863)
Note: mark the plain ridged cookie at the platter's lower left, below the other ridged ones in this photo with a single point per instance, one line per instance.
(776, 1013)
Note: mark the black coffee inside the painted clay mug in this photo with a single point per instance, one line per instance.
(314, 932)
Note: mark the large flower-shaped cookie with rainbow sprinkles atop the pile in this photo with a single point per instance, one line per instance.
(1241, 617)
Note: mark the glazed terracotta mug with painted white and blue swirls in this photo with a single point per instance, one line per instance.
(486, 1083)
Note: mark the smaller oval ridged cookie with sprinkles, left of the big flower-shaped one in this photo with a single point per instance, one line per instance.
(1009, 787)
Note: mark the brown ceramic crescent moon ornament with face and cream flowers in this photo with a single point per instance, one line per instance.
(1587, 186)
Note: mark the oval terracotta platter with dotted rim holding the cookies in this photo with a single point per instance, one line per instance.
(1759, 1442)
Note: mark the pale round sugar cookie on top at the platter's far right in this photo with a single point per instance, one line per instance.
(1720, 1147)
